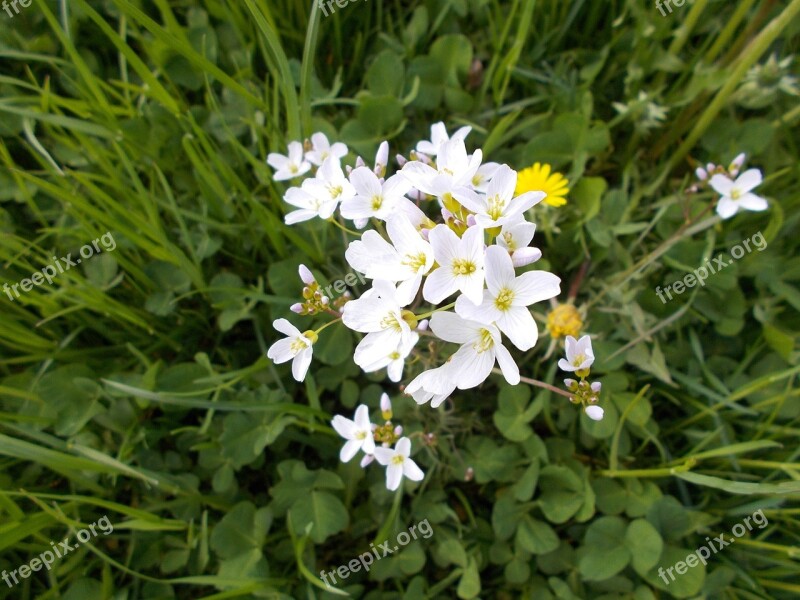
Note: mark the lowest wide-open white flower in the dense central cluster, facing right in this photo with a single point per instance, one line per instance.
(481, 345)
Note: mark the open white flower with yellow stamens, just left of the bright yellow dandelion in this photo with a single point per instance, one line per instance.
(498, 206)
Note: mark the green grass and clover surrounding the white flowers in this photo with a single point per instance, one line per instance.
(136, 386)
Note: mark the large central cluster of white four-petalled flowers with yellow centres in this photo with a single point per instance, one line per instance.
(470, 249)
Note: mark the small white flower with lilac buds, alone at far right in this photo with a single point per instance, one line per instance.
(735, 190)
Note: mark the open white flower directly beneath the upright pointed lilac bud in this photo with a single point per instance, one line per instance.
(374, 198)
